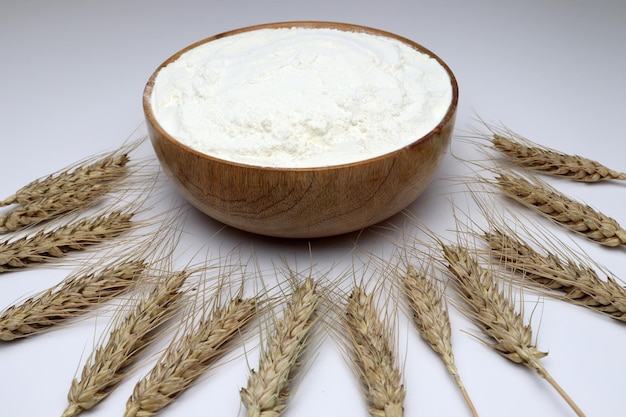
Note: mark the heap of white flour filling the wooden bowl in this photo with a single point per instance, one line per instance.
(300, 97)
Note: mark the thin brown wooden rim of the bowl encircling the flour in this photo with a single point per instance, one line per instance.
(450, 112)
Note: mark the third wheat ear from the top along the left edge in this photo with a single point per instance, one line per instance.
(45, 246)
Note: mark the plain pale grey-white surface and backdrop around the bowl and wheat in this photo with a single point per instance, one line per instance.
(72, 77)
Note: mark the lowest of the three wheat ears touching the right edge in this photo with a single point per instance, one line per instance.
(577, 283)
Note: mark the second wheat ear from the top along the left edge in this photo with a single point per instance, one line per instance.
(50, 207)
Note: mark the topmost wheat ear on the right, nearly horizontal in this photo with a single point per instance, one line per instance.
(548, 161)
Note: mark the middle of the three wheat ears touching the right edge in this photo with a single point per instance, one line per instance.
(547, 201)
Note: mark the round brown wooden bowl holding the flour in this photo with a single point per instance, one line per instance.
(303, 202)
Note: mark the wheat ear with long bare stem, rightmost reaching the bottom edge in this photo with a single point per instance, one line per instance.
(494, 313)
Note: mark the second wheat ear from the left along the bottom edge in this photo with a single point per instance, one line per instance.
(188, 357)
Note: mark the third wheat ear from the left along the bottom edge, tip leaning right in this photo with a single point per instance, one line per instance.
(268, 388)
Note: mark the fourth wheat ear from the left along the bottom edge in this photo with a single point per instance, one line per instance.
(373, 356)
